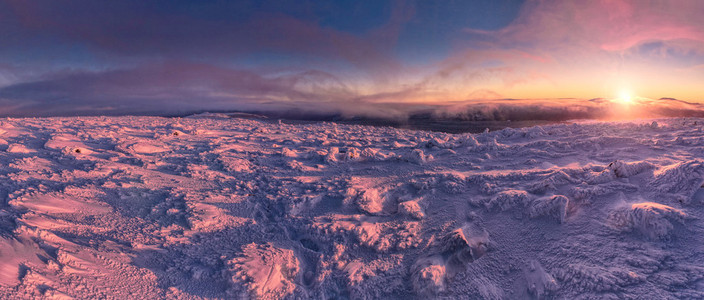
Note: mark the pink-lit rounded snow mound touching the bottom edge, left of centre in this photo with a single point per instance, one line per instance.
(266, 271)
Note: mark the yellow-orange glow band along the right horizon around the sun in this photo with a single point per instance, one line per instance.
(592, 79)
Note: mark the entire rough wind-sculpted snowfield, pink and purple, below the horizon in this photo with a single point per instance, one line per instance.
(189, 208)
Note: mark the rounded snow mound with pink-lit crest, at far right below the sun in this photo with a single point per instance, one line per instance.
(650, 219)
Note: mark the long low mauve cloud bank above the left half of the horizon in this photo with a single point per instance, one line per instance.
(171, 87)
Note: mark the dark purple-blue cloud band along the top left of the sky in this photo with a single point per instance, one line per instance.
(155, 30)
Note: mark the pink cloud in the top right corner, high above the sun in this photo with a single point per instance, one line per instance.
(610, 25)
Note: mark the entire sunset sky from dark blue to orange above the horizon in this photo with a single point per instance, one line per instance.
(61, 57)
